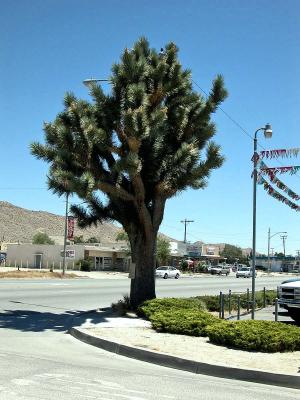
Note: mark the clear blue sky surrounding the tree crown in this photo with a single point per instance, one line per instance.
(48, 47)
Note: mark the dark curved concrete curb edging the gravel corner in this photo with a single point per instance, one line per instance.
(195, 367)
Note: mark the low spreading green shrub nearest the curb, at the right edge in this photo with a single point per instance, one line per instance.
(264, 336)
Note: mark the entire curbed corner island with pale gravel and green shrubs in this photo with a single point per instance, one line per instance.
(190, 337)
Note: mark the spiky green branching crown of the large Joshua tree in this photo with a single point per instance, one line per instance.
(146, 141)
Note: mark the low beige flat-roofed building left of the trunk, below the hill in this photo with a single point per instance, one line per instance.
(104, 257)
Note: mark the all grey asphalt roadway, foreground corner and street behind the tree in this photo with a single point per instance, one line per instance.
(39, 361)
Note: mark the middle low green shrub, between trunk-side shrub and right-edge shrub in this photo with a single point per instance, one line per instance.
(190, 322)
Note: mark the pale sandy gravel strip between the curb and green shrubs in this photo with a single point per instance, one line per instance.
(199, 349)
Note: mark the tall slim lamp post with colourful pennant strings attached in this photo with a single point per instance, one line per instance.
(268, 134)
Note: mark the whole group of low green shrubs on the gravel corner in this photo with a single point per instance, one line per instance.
(191, 316)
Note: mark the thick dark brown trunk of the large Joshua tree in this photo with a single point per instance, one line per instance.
(144, 257)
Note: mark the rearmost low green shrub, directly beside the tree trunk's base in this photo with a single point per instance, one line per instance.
(150, 307)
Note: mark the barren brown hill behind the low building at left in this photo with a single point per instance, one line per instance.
(20, 224)
